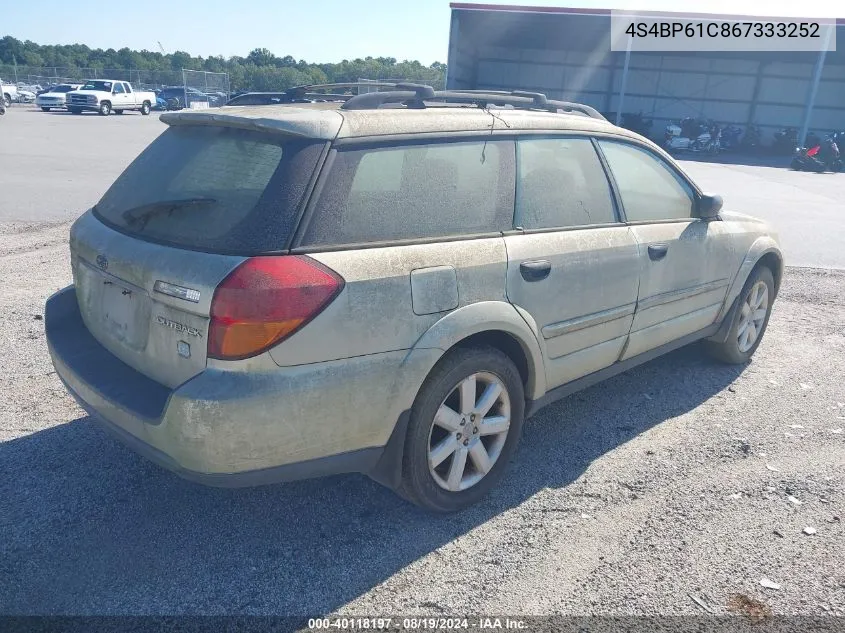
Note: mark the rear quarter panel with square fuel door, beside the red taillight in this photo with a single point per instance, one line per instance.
(375, 311)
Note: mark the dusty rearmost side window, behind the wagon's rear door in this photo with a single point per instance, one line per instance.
(414, 191)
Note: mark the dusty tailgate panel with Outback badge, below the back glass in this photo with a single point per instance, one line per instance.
(146, 303)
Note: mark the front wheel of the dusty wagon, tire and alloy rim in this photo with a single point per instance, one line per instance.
(736, 349)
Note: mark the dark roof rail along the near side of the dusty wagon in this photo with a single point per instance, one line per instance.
(416, 96)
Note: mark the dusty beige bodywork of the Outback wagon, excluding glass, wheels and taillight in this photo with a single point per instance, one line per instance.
(340, 388)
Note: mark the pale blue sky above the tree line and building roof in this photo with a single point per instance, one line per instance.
(313, 30)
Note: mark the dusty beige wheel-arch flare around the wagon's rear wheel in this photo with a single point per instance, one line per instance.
(487, 316)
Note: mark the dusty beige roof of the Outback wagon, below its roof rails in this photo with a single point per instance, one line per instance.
(327, 121)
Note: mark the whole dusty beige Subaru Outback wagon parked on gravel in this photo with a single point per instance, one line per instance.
(377, 286)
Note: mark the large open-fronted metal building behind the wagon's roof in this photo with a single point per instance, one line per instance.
(566, 54)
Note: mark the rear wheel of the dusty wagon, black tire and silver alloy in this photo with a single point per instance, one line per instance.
(429, 487)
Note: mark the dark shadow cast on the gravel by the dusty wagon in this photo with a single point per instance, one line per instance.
(90, 528)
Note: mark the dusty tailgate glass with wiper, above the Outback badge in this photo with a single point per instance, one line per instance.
(213, 188)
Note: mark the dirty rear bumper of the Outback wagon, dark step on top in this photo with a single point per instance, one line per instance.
(234, 428)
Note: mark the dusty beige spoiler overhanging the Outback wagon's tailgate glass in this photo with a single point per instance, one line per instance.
(316, 124)
